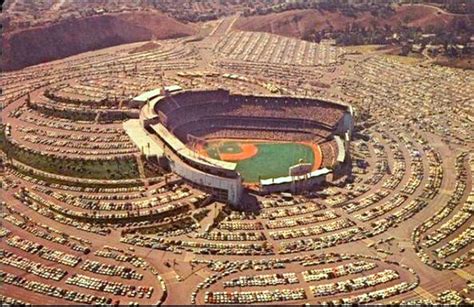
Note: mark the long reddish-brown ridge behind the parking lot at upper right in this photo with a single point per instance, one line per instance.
(296, 23)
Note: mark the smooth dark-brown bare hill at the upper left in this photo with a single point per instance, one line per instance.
(68, 37)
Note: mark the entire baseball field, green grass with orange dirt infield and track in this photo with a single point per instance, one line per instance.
(262, 159)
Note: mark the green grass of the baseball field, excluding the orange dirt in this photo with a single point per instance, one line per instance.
(272, 160)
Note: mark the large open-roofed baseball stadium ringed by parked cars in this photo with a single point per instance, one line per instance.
(228, 142)
